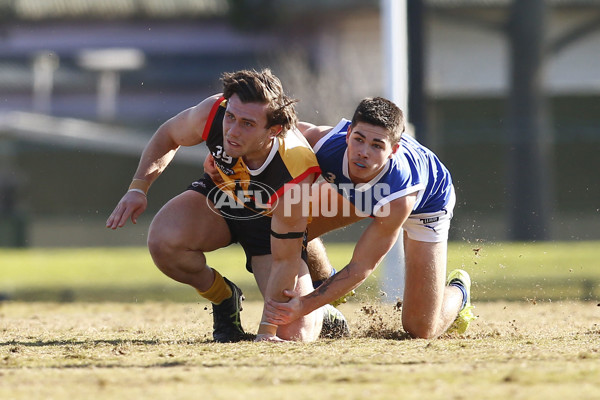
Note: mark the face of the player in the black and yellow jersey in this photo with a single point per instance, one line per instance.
(244, 132)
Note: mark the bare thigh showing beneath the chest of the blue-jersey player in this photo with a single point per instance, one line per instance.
(330, 211)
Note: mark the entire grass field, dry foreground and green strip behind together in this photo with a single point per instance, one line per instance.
(105, 324)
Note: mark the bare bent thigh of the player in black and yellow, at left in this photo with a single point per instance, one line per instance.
(188, 221)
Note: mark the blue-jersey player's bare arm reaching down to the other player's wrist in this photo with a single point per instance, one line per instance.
(377, 239)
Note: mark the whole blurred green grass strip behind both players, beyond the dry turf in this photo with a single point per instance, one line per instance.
(510, 271)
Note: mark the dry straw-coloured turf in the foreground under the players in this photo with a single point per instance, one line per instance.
(516, 350)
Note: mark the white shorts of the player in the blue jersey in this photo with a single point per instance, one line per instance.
(431, 227)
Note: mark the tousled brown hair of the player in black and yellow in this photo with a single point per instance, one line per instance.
(253, 86)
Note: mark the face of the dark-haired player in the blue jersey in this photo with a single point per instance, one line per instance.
(369, 149)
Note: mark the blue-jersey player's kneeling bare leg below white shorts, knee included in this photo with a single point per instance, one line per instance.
(429, 306)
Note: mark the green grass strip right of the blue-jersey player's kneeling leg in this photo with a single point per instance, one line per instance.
(542, 271)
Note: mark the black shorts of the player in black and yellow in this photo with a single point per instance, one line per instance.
(253, 234)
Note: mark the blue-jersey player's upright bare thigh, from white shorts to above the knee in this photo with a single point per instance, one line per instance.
(425, 277)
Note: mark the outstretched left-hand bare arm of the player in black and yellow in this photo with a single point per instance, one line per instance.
(184, 129)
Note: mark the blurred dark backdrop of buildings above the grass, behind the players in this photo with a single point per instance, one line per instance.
(507, 93)
